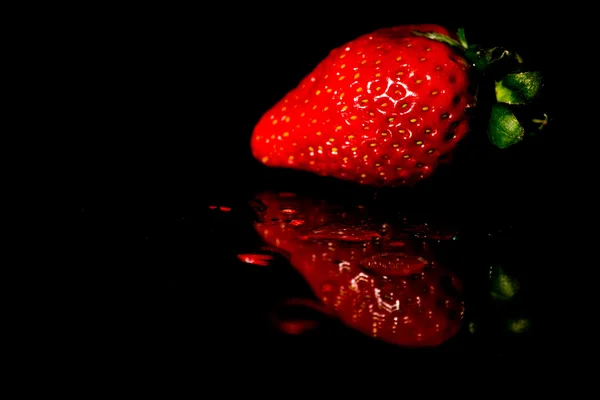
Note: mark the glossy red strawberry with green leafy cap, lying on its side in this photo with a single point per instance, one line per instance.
(388, 107)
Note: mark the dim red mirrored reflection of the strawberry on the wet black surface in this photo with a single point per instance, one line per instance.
(375, 277)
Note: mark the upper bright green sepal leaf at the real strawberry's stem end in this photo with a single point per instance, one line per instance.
(519, 88)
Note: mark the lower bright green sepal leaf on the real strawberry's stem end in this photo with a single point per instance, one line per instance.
(504, 128)
